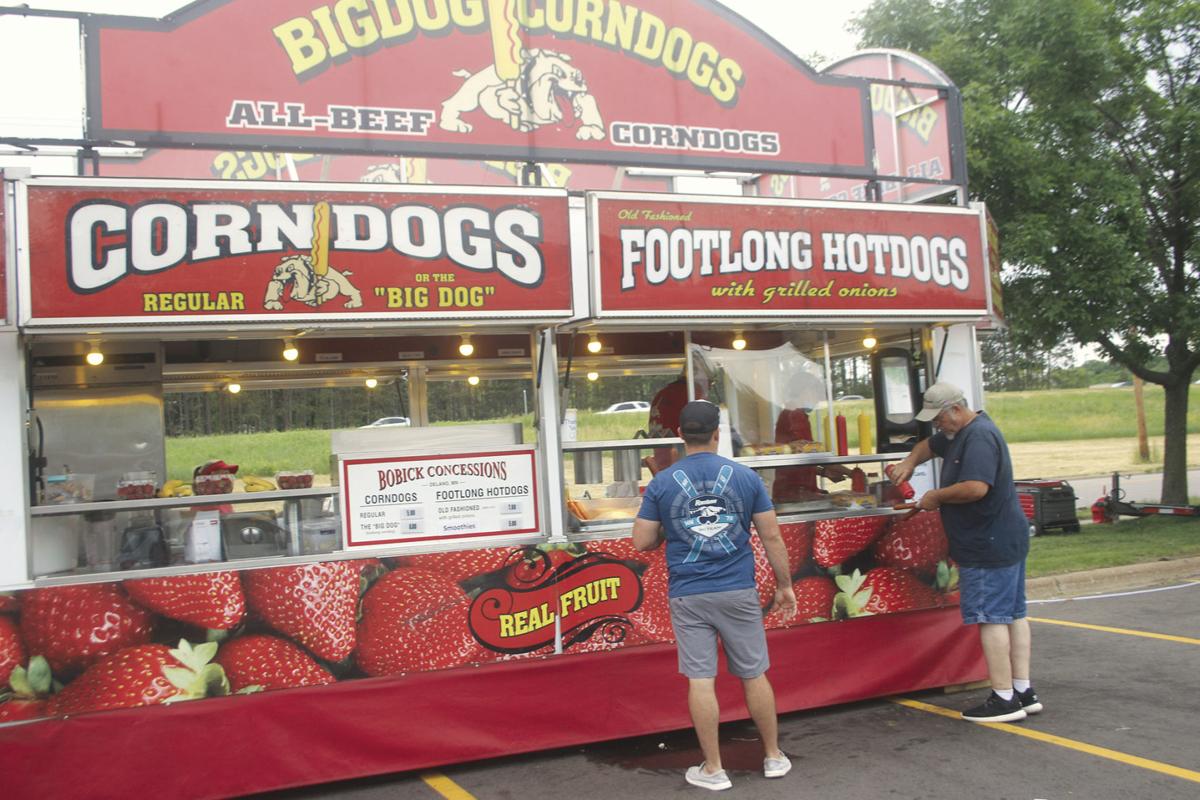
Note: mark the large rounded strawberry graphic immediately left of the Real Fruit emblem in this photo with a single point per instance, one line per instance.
(415, 621)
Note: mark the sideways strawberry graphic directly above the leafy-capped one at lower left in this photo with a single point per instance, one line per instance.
(212, 600)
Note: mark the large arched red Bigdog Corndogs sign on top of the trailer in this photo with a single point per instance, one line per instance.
(521, 80)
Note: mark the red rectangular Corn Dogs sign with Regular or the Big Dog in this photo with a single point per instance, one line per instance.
(111, 251)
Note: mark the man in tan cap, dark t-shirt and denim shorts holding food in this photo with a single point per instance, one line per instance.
(989, 540)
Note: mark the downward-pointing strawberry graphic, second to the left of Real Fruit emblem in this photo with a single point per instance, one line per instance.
(314, 604)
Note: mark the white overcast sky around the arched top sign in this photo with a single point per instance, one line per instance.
(43, 91)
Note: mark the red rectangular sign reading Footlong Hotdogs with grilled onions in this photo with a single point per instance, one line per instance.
(705, 257)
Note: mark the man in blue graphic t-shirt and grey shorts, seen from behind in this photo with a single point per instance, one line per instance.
(703, 507)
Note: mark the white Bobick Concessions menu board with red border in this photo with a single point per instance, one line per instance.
(398, 500)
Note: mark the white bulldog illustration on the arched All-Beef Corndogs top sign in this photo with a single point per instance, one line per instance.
(545, 85)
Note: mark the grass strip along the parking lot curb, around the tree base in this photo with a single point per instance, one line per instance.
(1130, 542)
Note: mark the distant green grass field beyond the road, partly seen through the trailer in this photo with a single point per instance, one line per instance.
(1023, 417)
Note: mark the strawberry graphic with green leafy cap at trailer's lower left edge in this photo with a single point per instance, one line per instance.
(147, 675)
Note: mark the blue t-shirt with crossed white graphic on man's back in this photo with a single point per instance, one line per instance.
(706, 504)
